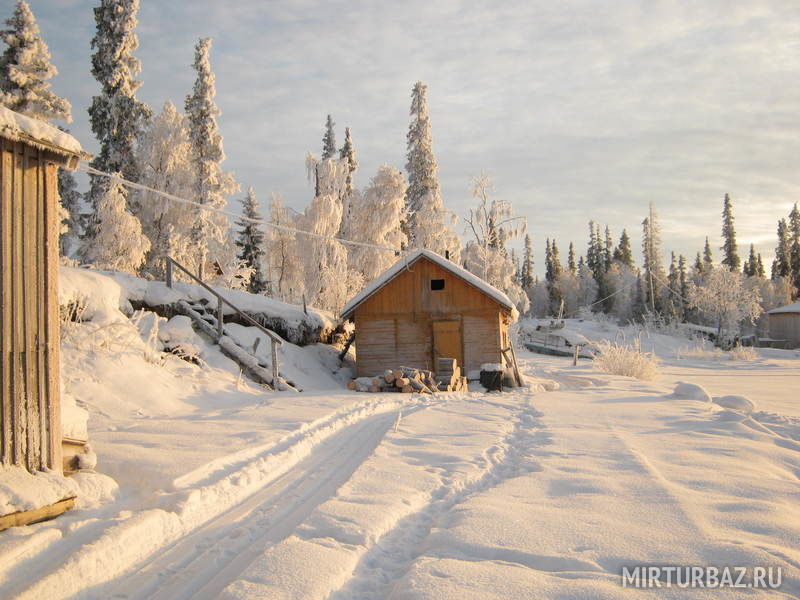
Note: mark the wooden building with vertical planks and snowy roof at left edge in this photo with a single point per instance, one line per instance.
(32, 153)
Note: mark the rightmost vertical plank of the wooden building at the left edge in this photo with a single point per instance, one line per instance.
(52, 324)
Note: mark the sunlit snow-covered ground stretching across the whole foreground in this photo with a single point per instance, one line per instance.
(228, 490)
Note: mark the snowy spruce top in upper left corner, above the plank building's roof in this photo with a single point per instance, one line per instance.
(25, 68)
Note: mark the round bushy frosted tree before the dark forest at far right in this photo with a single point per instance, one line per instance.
(726, 299)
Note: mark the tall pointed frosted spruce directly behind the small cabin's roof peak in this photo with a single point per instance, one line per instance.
(427, 217)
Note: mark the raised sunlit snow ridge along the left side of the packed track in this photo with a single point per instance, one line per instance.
(133, 540)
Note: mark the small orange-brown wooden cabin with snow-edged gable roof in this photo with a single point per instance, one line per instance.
(423, 308)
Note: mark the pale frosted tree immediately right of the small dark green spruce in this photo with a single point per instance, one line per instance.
(284, 263)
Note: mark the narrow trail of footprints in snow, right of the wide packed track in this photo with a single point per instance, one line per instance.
(390, 558)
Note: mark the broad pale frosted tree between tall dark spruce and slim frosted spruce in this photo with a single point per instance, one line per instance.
(163, 163)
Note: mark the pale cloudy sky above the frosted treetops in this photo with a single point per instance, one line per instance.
(577, 109)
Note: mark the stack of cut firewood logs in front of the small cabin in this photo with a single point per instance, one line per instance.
(411, 380)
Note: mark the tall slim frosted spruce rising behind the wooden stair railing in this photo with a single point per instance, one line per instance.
(211, 185)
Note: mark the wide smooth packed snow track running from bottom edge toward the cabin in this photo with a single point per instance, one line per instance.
(201, 564)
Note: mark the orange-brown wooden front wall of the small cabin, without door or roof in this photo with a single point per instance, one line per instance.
(394, 326)
